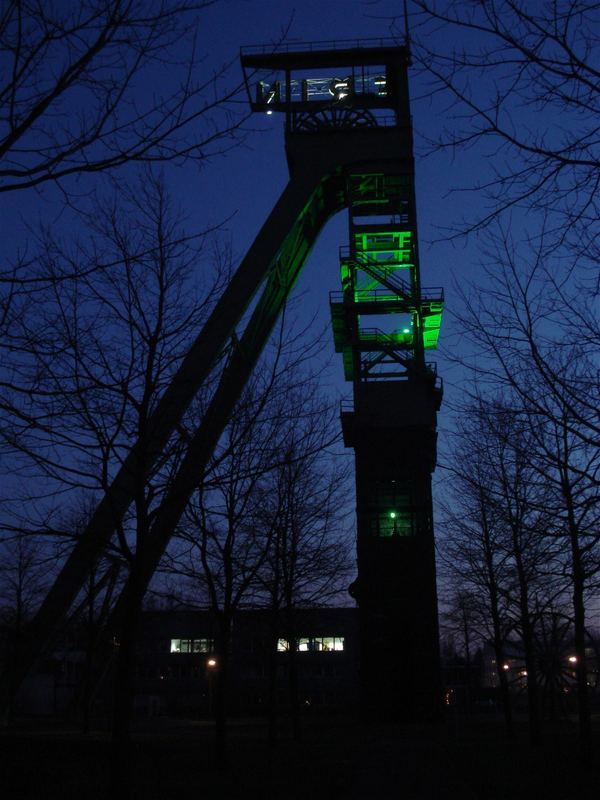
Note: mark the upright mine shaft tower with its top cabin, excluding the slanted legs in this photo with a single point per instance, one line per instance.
(350, 106)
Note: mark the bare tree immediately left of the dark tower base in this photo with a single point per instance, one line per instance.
(305, 500)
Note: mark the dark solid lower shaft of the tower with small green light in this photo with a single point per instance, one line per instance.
(392, 431)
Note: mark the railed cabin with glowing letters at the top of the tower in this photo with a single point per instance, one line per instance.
(359, 88)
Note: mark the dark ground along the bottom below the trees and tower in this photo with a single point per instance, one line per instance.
(464, 757)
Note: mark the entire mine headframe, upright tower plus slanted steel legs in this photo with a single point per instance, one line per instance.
(348, 145)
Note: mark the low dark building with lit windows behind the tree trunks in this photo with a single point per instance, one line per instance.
(177, 665)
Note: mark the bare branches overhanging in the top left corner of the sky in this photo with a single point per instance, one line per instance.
(88, 87)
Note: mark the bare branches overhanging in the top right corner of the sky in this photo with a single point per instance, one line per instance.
(520, 83)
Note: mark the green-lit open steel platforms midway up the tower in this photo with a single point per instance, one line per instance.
(382, 318)
